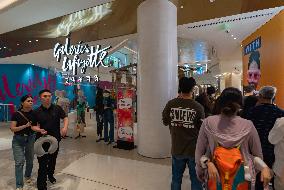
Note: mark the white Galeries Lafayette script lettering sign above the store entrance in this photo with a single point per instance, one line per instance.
(71, 56)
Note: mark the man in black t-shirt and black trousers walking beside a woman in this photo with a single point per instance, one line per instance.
(48, 117)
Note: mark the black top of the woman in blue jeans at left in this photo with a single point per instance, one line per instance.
(23, 121)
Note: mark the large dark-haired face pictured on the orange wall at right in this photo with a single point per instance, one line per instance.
(253, 73)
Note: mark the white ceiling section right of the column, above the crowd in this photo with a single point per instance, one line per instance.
(228, 49)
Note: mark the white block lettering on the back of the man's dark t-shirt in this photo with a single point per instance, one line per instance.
(182, 117)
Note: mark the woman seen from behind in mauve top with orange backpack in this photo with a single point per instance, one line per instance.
(225, 137)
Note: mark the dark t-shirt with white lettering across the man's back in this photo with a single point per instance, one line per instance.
(184, 116)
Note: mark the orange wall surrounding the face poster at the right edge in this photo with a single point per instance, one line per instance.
(271, 57)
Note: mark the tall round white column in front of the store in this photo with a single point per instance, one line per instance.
(157, 74)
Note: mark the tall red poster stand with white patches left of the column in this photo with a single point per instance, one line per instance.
(125, 117)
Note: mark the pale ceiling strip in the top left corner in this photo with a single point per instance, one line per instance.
(29, 12)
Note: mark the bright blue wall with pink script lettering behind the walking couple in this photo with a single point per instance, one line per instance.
(17, 80)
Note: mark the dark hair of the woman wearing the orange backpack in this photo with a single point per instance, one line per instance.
(230, 101)
